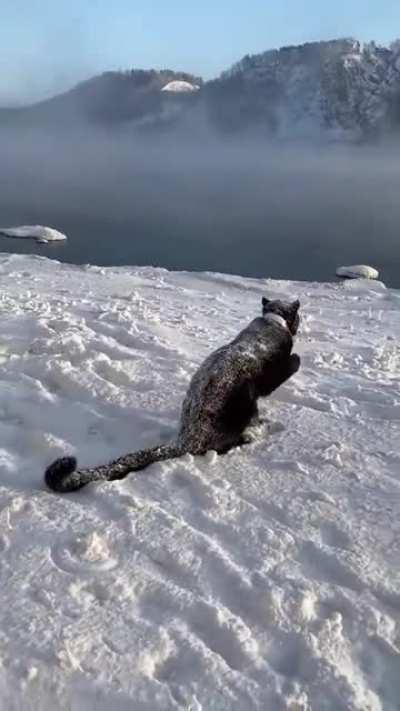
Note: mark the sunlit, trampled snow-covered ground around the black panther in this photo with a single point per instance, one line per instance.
(266, 579)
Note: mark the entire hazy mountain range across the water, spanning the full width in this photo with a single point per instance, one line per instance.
(339, 89)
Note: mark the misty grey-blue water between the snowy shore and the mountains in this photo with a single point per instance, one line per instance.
(247, 207)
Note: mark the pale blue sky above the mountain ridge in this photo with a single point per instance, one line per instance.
(48, 45)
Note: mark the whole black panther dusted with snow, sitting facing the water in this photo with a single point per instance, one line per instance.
(221, 402)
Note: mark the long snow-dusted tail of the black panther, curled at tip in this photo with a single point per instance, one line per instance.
(63, 476)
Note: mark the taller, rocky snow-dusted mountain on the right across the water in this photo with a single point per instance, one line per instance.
(340, 89)
